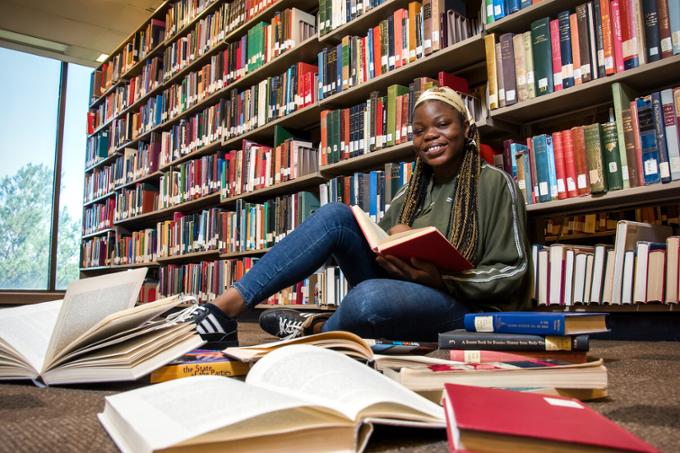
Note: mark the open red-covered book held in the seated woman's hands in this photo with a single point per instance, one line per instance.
(425, 244)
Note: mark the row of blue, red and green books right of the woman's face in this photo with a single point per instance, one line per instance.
(638, 147)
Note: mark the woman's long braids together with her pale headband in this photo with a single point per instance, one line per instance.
(463, 227)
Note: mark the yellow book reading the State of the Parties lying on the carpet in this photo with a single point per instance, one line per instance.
(200, 362)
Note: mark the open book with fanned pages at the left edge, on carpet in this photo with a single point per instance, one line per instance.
(95, 334)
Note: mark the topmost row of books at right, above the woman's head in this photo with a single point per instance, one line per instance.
(598, 39)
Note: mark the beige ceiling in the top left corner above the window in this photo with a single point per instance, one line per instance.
(77, 31)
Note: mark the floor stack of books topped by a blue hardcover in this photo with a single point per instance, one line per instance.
(528, 351)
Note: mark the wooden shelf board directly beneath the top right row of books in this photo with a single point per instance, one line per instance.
(644, 78)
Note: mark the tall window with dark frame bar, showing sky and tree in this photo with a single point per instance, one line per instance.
(31, 256)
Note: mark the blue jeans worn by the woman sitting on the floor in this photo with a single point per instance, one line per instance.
(376, 306)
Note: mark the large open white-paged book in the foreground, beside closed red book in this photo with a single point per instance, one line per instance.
(296, 399)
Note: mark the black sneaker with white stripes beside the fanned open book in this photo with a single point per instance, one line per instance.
(217, 329)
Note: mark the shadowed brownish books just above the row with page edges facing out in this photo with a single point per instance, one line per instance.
(606, 221)
